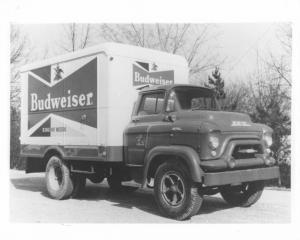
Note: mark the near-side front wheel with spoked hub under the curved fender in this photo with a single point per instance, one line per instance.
(175, 194)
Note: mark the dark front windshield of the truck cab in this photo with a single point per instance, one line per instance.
(194, 98)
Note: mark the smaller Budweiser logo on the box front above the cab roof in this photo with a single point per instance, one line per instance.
(142, 75)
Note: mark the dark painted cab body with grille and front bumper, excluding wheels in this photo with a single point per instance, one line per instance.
(165, 128)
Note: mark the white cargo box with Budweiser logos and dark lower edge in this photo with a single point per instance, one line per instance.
(83, 101)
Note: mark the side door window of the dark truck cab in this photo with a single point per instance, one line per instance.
(151, 104)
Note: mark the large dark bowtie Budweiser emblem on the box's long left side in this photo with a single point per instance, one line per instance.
(69, 97)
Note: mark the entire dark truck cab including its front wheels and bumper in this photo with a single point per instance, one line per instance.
(179, 137)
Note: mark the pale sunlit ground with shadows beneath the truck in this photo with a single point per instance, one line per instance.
(29, 202)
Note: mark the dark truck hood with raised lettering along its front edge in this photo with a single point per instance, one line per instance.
(222, 121)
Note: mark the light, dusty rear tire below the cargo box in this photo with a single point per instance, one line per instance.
(58, 179)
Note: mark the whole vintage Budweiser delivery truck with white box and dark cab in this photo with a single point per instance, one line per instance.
(126, 113)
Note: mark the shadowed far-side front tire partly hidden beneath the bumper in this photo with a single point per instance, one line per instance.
(244, 195)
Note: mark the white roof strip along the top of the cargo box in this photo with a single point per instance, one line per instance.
(112, 49)
